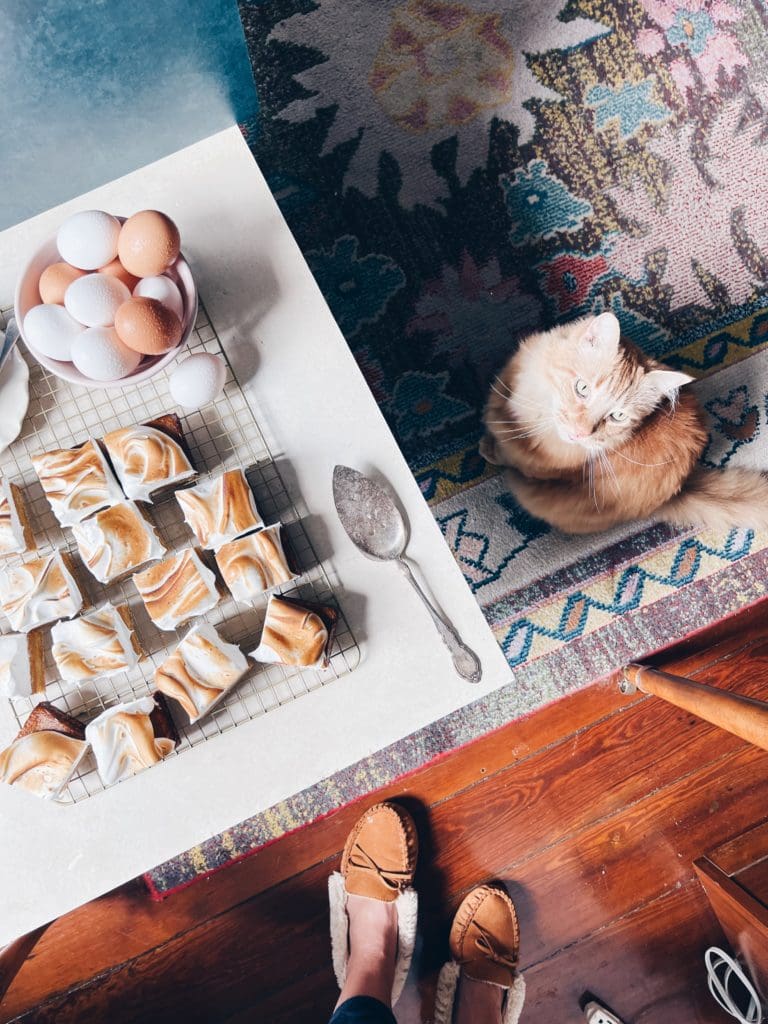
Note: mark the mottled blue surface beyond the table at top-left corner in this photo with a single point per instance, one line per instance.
(92, 90)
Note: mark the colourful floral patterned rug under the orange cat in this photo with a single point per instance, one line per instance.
(459, 175)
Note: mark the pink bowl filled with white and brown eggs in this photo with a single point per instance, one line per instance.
(109, 302)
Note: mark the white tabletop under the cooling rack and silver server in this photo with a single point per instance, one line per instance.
(317, 411)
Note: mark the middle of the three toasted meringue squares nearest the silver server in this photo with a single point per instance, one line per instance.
(254, 564)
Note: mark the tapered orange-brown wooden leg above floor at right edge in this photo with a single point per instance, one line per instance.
(744, 717)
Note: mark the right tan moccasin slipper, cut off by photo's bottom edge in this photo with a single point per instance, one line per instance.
(486, 947)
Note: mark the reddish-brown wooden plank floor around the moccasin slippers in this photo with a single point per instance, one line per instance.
(591, 812)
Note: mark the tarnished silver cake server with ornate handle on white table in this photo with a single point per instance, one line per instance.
(374, 524)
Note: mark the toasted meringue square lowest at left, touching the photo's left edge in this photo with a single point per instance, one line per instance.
(46, 753)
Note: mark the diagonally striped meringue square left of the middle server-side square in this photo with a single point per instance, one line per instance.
(178, 589)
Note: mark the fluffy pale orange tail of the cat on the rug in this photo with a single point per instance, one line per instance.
(720, 500)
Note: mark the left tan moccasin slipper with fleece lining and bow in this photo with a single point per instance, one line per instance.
(379, 862)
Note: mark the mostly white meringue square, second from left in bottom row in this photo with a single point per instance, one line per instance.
(132, 737)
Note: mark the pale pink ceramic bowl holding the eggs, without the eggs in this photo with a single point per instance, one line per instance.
(28, 296)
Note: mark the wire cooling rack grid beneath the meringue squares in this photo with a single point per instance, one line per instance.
(223, 436)
